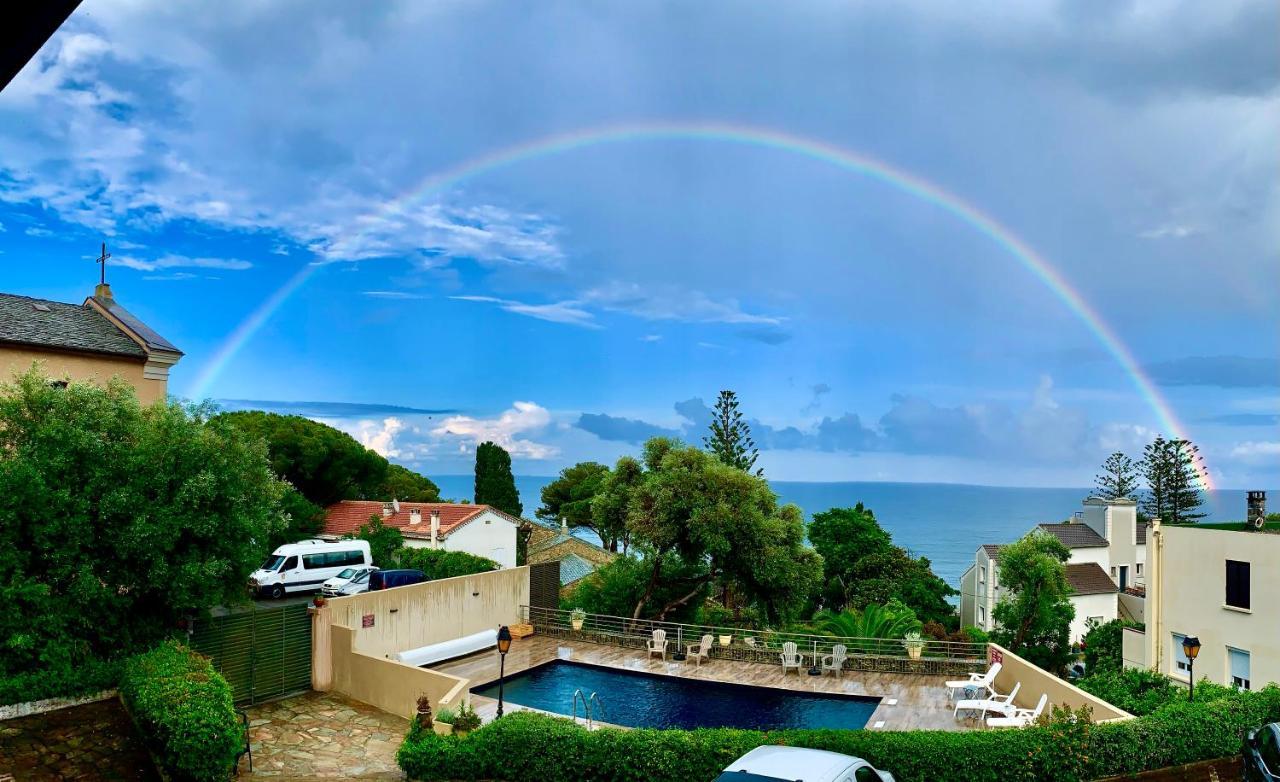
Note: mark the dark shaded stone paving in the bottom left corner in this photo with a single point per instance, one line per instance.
(94, 742)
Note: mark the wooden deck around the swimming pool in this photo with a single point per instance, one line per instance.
(909, 702)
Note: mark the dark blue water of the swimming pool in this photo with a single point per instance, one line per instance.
(647, 701)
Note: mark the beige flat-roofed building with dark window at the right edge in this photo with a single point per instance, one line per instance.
(1219, 586)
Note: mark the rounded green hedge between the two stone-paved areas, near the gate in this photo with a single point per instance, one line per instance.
(185, 711)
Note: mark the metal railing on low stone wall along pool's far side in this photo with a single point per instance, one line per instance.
(765, 646)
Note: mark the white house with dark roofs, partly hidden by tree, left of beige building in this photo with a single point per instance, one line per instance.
(1108, 547)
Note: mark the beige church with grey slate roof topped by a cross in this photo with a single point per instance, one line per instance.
(92, 342)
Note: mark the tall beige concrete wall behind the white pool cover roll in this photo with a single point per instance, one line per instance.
(409, 618)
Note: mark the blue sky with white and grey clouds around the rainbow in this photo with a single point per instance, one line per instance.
(570, 305)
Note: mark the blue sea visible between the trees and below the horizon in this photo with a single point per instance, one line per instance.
(945, 523)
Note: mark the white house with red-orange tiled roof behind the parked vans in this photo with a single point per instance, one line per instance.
(481, 531)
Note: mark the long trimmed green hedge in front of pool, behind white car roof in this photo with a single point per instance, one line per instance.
(534, 747)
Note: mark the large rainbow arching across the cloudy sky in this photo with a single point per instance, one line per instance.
(747, 136)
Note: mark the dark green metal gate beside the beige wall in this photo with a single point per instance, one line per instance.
(263, 653)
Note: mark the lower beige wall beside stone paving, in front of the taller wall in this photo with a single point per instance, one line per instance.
(390, 685)
